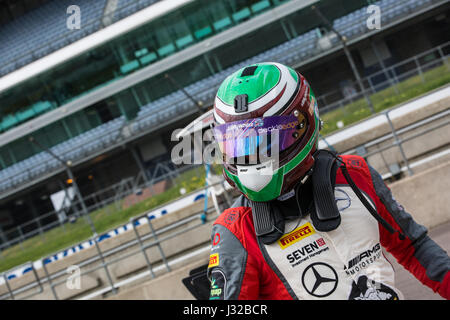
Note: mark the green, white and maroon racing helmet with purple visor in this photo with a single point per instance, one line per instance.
(266, 126)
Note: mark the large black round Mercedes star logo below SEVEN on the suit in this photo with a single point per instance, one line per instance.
(319, 279)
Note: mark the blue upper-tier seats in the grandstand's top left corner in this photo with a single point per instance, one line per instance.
(43, 30)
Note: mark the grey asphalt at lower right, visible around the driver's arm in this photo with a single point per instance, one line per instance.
(412, 288)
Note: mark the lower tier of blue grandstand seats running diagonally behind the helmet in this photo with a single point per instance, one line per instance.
(167, 108)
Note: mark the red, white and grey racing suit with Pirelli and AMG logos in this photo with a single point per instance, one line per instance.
(345, 263)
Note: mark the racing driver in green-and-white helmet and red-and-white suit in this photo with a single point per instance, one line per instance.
(309, 224)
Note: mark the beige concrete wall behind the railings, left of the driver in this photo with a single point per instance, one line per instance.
(192, 235)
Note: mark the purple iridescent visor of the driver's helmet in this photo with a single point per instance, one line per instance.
(254, 139)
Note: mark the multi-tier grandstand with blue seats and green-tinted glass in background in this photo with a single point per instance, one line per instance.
(98, 96)
